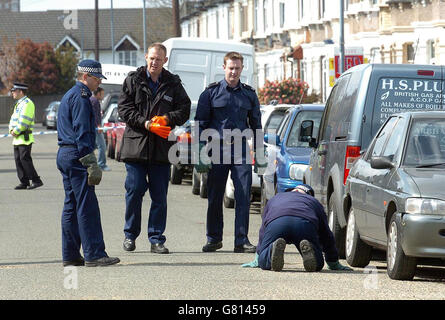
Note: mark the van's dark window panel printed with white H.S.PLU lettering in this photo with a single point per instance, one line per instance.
(396, 95)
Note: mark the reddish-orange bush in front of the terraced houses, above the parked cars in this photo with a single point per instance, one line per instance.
(288, 91)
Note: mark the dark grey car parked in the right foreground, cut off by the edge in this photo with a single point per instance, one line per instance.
(395, 197)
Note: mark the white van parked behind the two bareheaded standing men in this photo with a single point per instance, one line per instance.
(198, 62)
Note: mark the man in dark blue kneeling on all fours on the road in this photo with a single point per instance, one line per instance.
(296, 217)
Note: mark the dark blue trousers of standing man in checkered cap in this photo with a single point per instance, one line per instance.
(81, 225)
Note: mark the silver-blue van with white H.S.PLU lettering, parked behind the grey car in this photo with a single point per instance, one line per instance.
(359, 103)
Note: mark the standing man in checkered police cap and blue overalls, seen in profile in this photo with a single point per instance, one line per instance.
(76, 161)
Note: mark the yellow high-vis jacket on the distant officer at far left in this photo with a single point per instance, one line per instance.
(22, 121)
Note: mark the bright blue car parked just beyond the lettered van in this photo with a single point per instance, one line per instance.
(287, 156)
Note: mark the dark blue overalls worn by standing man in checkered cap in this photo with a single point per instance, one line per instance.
(81, 225)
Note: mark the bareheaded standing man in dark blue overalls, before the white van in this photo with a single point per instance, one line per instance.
(226, 106)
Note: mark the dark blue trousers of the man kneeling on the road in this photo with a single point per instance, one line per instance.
(293, 230)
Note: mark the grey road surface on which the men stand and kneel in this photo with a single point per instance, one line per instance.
(31, 266)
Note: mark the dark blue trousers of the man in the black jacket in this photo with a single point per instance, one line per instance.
(140, 178)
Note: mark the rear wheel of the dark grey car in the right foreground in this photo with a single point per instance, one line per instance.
(358, 253)
